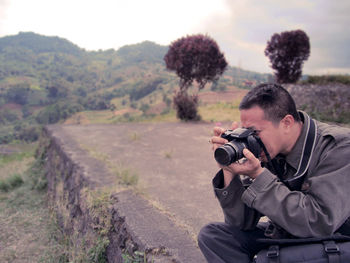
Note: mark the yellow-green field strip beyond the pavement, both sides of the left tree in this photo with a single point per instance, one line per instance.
(213, 107)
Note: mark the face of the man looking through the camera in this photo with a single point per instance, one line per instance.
(270, 133)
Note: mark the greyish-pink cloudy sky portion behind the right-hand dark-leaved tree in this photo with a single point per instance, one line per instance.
(243, 31)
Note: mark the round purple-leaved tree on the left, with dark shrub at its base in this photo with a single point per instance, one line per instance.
(193, 58)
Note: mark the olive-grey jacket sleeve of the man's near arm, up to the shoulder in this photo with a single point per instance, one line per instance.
(318, 211)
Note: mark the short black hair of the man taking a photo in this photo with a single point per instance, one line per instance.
(273, 99)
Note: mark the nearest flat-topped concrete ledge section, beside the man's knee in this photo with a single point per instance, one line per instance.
(152, 231)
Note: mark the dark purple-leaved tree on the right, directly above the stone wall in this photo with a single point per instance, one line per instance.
(287, 52)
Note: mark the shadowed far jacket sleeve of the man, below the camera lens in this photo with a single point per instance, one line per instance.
(235, 211)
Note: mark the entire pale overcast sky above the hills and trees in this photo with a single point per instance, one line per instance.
(240, 27)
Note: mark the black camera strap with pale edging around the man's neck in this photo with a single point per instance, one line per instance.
(295, 182)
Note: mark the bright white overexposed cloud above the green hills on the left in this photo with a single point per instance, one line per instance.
(110, 23)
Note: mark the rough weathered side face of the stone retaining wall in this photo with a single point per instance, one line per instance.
(94, 229)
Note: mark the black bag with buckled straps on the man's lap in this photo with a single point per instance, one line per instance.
(331, 249)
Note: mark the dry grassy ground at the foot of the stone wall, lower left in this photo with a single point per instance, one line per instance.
(29, 232)
